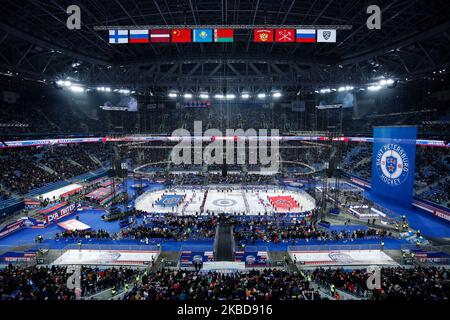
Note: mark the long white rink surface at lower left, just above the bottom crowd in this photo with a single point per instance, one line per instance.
(107, 257)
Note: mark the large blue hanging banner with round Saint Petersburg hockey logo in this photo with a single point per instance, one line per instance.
(393, 163)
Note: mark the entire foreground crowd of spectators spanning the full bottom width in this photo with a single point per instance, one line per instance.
(50, 283)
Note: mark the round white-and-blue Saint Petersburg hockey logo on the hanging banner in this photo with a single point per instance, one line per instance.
(392, 164)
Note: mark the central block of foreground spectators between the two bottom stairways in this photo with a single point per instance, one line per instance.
(180, 285)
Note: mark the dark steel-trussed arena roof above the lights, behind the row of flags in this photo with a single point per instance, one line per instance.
(413, 40)
